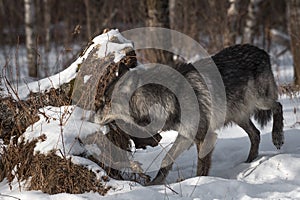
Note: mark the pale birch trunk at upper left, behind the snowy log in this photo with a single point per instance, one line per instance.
(29, 30)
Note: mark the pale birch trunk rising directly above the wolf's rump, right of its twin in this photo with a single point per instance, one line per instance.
(251, 21)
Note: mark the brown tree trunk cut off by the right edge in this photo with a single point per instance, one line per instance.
(293, 10)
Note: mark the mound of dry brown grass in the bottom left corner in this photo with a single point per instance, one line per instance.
(48, 173)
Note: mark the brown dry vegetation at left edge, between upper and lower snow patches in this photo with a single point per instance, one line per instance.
(16, 116)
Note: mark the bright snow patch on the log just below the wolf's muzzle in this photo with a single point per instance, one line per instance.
(64, 137)
